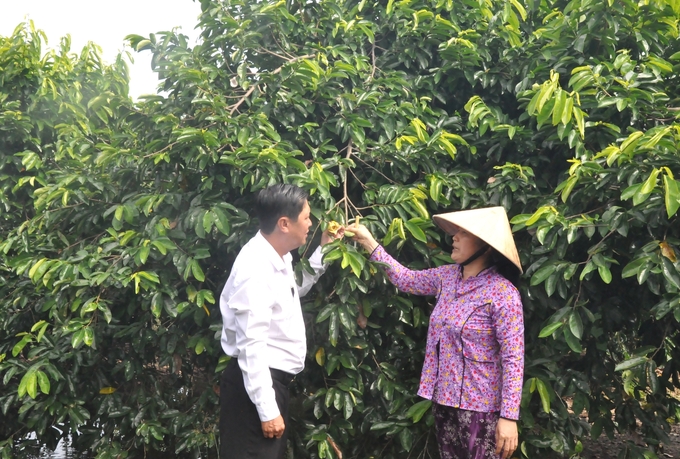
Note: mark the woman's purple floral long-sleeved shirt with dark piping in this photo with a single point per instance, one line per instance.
(474, 357)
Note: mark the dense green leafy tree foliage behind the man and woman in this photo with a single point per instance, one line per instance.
(120, 220)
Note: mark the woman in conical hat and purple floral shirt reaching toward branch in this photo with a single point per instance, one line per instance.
(474, 356)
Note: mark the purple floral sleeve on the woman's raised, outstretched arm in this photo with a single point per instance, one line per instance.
(425, 282)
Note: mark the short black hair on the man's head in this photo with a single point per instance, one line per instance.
(278, 201)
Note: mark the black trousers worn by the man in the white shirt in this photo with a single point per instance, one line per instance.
(241, 434)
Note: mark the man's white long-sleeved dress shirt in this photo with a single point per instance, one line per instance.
(262, 318)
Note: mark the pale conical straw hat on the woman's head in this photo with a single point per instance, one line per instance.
(490, 224)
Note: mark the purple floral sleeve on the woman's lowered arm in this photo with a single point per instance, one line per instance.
(509, 324)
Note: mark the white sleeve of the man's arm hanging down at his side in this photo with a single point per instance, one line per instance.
(252, 303)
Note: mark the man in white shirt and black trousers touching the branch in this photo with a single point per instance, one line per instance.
(263, 329)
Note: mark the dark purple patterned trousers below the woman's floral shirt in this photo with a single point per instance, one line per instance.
(465, 434)
